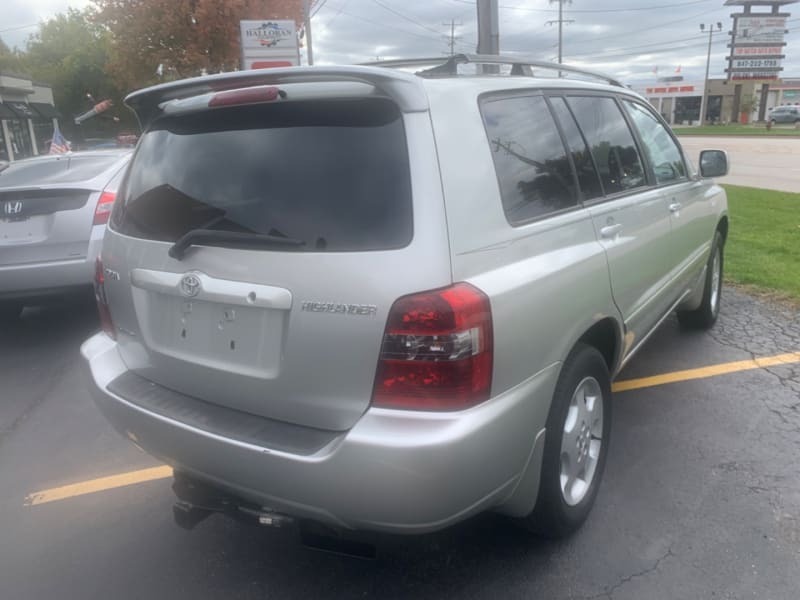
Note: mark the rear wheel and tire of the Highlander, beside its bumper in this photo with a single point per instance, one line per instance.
(576, 445)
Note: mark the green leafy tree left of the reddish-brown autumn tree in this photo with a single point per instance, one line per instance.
(69, 53)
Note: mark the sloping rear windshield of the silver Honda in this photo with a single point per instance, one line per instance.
(64, 169)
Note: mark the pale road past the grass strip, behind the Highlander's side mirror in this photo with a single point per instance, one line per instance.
(761, 162)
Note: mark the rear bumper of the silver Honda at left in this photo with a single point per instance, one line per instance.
(31, 281)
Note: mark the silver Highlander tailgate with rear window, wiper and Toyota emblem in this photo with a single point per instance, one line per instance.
(287, 325)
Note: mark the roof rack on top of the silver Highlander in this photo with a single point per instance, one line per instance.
(448, 66)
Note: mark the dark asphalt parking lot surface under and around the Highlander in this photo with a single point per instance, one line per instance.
(701, 496)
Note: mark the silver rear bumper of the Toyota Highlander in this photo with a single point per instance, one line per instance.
(395, 471)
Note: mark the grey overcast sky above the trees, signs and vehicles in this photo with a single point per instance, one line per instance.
(625, 38)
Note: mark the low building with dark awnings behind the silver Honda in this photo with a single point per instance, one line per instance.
(27, 117)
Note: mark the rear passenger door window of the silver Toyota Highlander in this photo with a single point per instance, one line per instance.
(611, 142)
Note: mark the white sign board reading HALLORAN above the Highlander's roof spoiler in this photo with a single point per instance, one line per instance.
(269, 43)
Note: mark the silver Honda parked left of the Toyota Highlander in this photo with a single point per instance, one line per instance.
(53, 214)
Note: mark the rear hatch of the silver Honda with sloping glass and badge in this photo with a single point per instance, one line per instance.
(47, 207)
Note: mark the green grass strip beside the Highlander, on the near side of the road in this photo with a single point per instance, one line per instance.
(763, 248)
